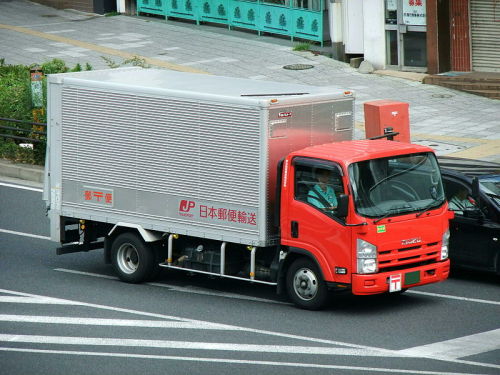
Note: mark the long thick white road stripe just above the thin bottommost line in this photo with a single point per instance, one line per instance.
(189, 345)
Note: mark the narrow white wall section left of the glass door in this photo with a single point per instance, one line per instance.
(374, 32)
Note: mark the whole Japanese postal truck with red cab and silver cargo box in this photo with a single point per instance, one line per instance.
(240, 179)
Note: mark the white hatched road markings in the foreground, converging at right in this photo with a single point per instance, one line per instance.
(461, 347)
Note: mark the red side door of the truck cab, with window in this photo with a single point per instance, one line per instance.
(309, 224)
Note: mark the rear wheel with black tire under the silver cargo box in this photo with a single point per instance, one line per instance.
(133, 260)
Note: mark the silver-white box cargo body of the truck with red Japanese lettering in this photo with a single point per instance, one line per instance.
(180, 153)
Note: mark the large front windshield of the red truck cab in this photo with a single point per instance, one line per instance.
(396, 185)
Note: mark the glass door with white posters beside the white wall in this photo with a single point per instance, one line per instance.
(405, 35)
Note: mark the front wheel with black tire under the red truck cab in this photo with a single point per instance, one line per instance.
(305, 285)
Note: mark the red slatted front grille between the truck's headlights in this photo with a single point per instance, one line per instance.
(408, 257)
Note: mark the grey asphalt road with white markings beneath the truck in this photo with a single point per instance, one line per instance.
(70, 315)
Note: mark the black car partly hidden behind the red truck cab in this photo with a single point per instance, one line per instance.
(475, 230)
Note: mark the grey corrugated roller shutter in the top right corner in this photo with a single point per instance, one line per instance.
(485, 35)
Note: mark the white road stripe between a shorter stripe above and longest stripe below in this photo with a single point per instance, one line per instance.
(110, 322)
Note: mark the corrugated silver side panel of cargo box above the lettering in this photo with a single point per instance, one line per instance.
(200, 150)
